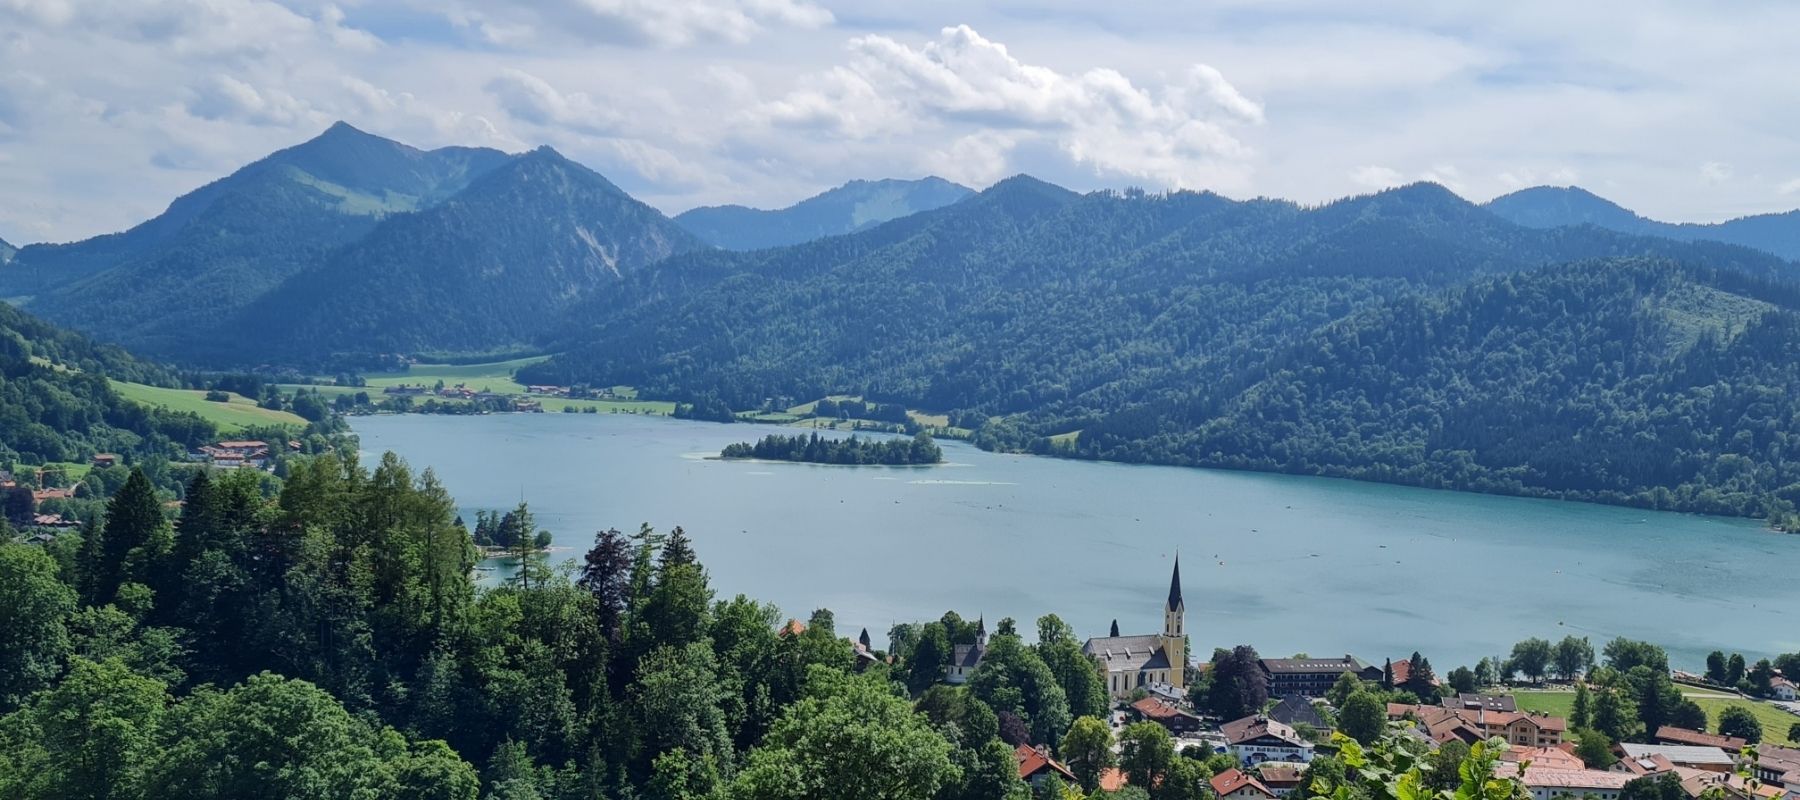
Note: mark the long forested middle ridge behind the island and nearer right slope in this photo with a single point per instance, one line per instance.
(1030, 298)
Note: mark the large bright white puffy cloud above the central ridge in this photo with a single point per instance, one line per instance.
(1180, 134)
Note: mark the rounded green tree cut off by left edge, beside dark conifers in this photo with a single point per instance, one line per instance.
(33, 628)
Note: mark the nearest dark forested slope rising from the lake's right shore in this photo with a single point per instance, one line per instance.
(1623, 381)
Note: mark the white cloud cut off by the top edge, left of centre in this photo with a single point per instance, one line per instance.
(636, 23)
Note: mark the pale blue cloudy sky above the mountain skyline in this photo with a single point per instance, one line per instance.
(109, 109)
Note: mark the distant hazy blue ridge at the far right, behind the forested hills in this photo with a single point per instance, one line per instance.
(1551, 206)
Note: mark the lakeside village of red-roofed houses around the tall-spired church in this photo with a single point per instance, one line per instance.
(1273, 749)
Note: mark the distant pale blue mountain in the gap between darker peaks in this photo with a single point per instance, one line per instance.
(850, 208)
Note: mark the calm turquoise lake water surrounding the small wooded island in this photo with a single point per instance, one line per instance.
(1288, 565)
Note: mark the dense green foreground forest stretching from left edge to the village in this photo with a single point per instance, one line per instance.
(330, 644)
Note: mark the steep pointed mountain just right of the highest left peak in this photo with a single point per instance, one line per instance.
(485, 269)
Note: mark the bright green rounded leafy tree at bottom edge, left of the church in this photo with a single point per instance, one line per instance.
(850, 738)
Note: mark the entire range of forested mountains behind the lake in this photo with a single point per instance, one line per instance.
(1545, 343)
